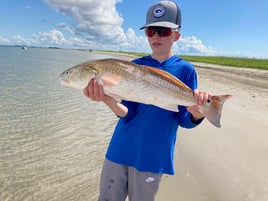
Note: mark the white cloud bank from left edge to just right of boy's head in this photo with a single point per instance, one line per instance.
(98, 25)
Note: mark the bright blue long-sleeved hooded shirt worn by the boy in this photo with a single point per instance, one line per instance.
(145, 138)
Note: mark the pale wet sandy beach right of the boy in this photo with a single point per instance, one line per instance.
(228, 163)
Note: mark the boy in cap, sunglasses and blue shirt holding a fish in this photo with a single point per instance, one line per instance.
(142, 145)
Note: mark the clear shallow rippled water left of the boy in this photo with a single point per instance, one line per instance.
(52, 138)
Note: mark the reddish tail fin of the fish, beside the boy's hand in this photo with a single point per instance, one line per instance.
(213, 112)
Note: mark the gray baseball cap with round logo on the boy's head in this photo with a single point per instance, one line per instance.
(163, 14)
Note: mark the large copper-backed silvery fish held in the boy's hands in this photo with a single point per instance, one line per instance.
(128, 81)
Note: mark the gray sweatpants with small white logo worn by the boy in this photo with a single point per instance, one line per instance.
(118, 182)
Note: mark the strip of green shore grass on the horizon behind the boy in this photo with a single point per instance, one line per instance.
(219, 60)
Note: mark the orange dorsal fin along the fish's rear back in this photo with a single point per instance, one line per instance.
(168, 77)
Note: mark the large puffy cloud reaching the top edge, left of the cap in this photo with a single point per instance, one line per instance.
(97, 19)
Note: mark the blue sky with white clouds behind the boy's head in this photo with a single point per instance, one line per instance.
(236, 28)
